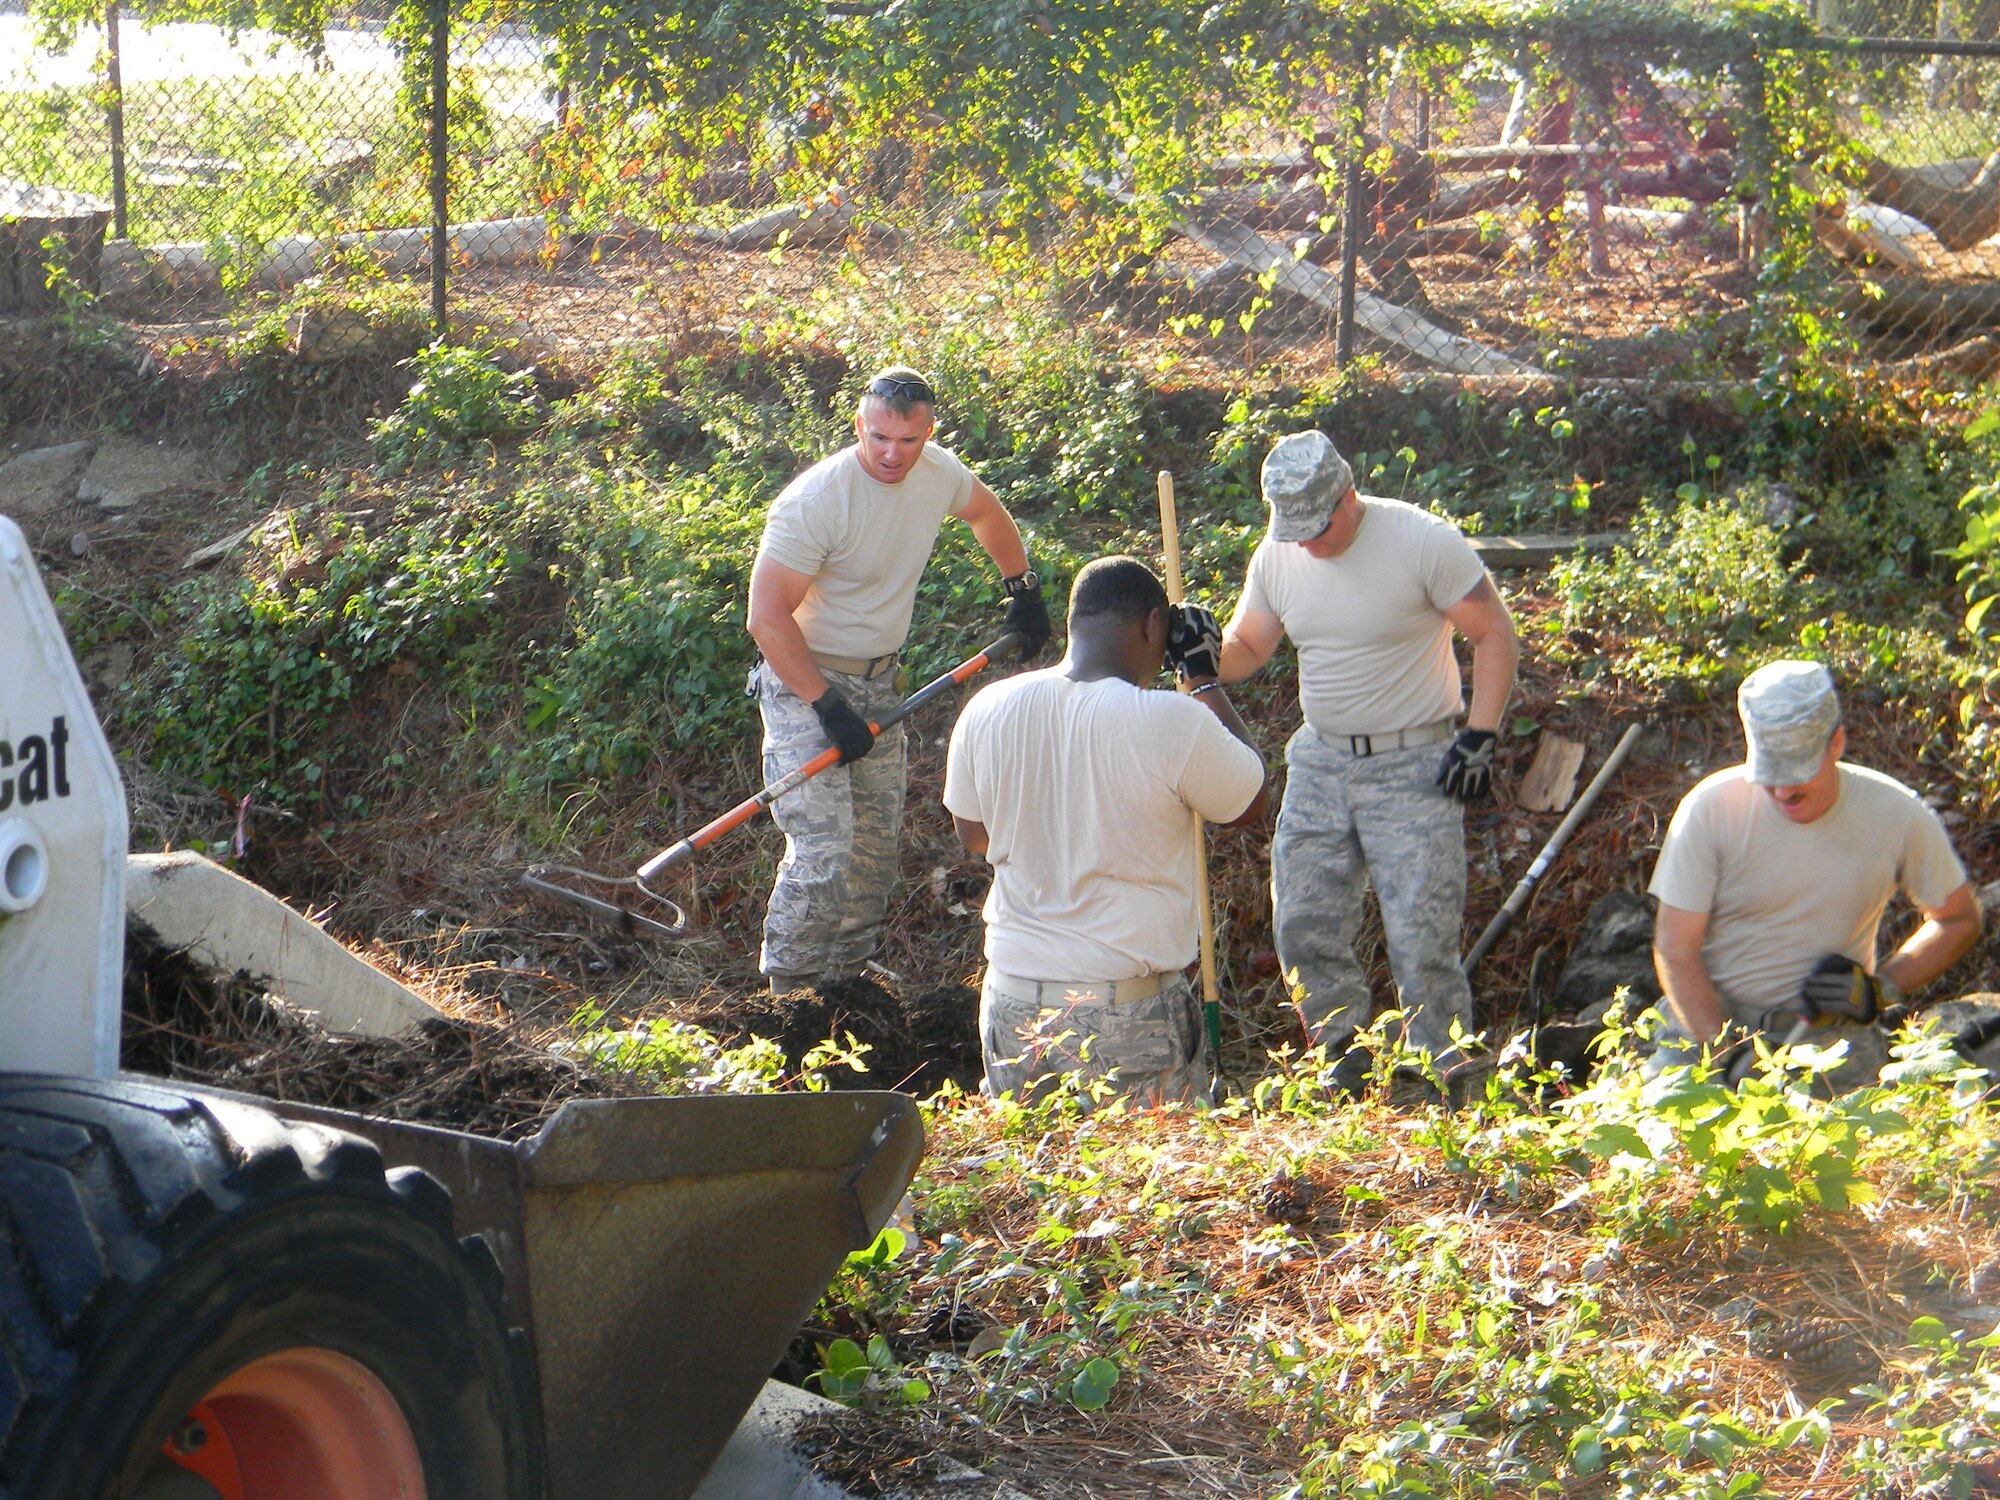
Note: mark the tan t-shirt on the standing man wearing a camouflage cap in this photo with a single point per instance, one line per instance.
(1375, 651)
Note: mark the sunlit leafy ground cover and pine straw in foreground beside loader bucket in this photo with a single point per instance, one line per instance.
(1499, 1301)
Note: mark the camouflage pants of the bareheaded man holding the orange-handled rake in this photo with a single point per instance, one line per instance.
(841, 833)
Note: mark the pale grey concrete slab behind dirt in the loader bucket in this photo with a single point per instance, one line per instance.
(237, 927)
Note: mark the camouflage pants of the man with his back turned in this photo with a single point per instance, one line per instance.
(1151, 1051)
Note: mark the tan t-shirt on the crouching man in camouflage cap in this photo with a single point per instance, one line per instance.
(1785, 895)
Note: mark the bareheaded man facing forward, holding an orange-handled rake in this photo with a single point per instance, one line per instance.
(831, 601)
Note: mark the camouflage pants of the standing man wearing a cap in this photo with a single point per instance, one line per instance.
(1355, 821)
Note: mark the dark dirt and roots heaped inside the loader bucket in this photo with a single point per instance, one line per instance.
(187, 1023)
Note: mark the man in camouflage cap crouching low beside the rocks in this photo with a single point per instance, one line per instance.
(1775, 875)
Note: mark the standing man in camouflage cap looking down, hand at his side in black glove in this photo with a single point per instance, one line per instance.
(1371, 593)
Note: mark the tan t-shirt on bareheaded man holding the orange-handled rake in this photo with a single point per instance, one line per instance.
(865, 545)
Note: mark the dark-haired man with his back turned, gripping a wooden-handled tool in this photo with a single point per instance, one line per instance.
(1077, 783)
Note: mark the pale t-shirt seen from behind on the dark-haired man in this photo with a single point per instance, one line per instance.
(1085, 791)
